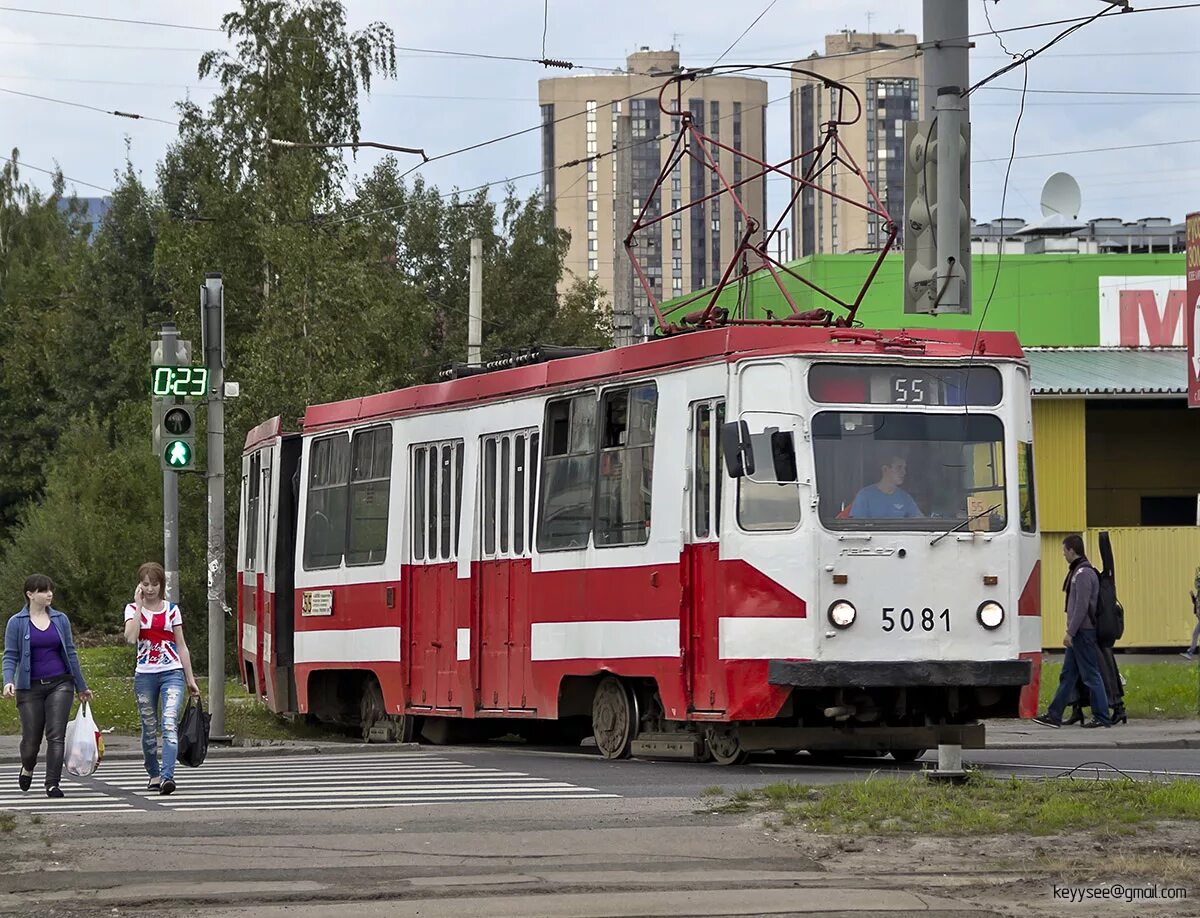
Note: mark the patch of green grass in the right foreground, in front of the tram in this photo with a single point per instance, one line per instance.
(983, 806)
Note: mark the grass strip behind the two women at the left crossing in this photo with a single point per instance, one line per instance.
(110, 674)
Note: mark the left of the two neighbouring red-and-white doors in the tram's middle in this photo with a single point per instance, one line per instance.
(434, 597)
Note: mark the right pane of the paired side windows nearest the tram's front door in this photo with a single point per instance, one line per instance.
(627, 466)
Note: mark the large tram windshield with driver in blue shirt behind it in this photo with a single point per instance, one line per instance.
(901, 471)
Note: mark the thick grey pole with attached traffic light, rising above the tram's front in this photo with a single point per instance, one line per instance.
(938, 170)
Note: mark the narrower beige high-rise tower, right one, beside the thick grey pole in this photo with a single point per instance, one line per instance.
(885, 73)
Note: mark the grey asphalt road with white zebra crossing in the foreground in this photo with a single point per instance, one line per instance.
(286, 836)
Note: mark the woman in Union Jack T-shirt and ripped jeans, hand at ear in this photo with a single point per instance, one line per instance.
(157, 627)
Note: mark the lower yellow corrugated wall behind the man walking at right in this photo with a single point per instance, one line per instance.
(1155, 572)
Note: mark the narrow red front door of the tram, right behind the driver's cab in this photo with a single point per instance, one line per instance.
(706, 587)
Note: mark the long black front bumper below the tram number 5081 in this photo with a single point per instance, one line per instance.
(898, 674)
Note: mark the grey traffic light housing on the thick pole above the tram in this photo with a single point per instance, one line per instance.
(921, 207)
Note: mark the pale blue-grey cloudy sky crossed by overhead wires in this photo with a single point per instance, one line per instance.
(1124, 81)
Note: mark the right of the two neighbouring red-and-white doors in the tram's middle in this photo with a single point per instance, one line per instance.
(508, 464)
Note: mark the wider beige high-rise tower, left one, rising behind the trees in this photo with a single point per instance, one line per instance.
(589, 117)
